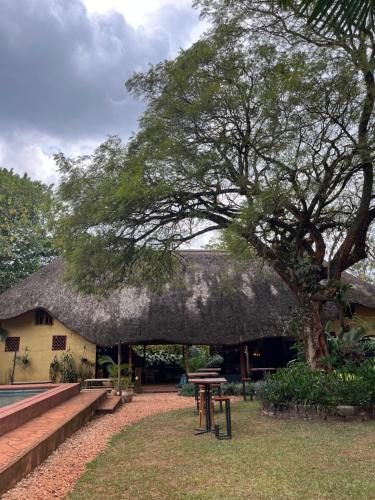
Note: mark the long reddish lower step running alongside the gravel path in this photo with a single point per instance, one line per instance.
(23, 448)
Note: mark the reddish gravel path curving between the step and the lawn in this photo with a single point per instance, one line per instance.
(56, 476)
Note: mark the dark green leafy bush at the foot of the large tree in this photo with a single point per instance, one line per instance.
(299, 384)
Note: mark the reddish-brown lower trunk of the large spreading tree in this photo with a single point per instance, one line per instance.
(314, 336)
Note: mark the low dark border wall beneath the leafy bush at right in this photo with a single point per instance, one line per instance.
(308, 412)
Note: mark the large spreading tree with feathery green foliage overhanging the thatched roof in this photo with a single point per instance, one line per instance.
(264, 129)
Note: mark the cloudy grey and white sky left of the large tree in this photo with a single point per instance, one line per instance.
(63, 68)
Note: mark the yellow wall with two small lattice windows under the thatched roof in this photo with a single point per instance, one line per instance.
(38, 340)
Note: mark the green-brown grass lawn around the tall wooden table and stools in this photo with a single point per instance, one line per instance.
(160, 458)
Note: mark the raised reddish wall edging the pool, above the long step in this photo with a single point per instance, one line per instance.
(16, 414)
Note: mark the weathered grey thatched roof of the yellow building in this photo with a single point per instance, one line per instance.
(214, 301)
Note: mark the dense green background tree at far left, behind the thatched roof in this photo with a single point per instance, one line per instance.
(25, 216)
